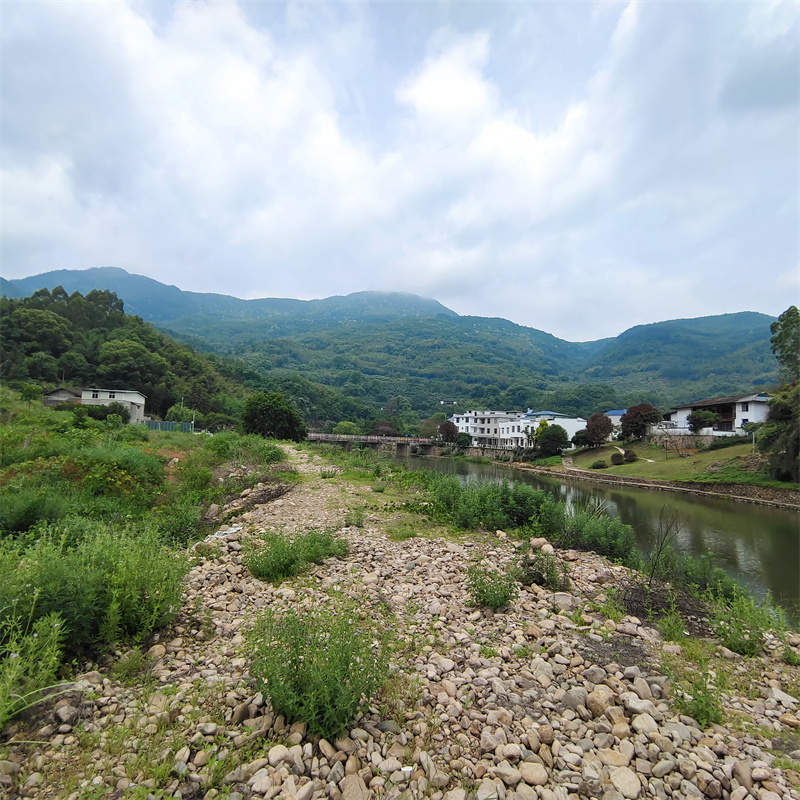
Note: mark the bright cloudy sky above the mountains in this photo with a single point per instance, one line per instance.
(576, 167)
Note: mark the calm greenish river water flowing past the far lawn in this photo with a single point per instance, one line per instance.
(757, 545)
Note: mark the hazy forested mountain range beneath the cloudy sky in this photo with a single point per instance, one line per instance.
(384, 349)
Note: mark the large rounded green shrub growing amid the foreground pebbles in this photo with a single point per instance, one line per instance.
(320, 666)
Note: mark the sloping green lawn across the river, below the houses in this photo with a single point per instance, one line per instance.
(729, 465)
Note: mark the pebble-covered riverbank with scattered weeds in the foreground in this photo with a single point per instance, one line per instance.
(553, 698)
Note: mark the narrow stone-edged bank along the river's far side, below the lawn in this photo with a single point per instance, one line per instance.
(763, 495)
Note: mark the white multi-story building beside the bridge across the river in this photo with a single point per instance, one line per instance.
(510, 429)
